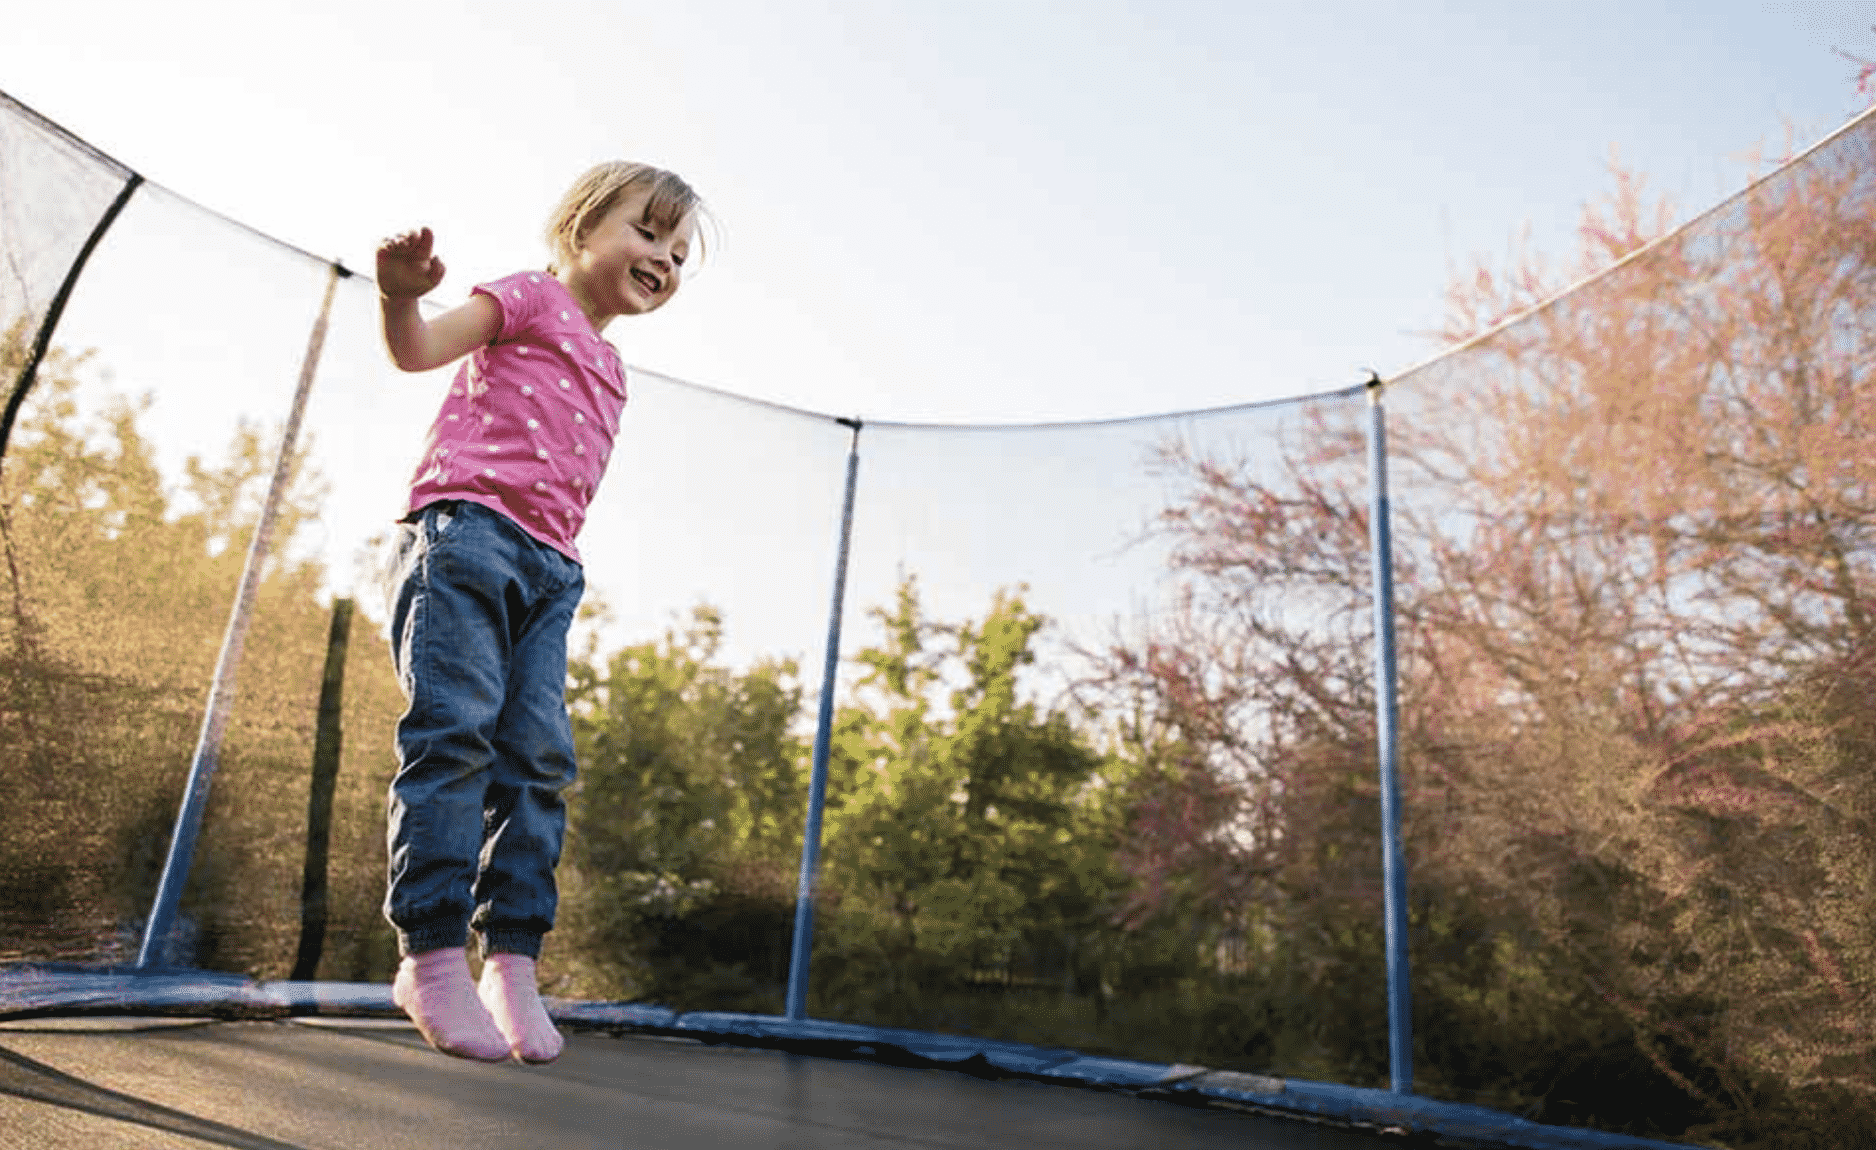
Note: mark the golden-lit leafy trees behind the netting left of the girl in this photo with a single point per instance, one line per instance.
(117, 609)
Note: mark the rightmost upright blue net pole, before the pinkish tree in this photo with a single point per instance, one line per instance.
(1387, 731)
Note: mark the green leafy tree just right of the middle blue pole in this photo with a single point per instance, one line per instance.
(969, 834)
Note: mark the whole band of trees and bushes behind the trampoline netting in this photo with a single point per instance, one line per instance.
(1635, 558)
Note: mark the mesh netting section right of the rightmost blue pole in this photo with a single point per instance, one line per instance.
(1637, 543)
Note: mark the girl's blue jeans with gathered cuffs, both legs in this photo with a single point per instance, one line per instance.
(479, 639)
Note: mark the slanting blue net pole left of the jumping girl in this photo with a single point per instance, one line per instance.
(222, 688)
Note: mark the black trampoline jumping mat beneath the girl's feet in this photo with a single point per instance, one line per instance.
(164, 1083)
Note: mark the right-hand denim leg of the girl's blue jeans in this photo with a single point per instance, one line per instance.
(526, 817)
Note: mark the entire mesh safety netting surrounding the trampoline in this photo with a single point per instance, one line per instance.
(1104, 748)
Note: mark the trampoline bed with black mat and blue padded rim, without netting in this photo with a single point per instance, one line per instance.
(130, 1059)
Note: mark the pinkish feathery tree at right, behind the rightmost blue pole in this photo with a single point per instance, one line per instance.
(1635, 566)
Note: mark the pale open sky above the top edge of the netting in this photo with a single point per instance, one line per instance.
(965, 211)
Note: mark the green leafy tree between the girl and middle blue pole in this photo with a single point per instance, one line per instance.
(686, 823)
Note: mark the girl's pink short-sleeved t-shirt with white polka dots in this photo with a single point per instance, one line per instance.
(530, 419)
